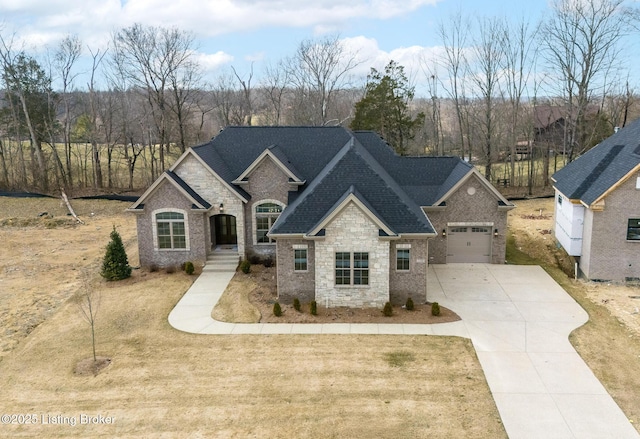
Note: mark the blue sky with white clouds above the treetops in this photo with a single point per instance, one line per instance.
(238, 32)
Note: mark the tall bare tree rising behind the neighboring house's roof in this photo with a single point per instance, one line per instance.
(582, 43)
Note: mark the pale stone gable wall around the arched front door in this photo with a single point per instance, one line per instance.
(215, 192)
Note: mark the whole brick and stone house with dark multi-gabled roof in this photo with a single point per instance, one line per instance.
(349, 222)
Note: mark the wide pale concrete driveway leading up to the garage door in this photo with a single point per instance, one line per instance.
(519, 320)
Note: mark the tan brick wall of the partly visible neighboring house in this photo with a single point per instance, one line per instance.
(606, 252)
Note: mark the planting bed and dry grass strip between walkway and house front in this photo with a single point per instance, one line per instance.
(249, 298)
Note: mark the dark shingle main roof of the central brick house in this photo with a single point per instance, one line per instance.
(332, 161)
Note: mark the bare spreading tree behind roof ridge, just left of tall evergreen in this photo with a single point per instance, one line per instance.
(318, 70)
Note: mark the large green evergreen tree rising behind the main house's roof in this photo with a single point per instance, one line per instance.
(385, 107)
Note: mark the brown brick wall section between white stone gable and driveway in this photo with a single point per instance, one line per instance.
(411, 283)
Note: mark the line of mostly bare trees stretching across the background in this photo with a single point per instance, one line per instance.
(517, 99)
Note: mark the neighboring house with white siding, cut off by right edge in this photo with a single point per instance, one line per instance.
(597, 208)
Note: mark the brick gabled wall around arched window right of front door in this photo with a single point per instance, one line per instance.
(267, 184)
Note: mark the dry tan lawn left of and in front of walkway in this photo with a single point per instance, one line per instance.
(164, 383)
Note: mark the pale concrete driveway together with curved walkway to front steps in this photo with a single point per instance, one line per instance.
(518, 319)
